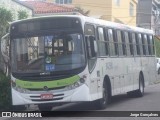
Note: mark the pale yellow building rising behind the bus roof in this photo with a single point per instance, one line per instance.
(121, 11)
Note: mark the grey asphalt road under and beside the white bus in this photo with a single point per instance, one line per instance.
(149, 102)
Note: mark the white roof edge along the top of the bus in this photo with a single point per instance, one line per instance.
(95, 21)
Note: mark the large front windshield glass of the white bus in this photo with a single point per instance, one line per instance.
(48, 53)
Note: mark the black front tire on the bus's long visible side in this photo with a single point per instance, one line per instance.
(102, 103)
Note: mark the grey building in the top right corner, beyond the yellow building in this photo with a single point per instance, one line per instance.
(148, 17)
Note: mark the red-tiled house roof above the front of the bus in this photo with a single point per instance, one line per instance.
(42, 8)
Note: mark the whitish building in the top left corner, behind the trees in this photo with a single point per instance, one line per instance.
(15, 6)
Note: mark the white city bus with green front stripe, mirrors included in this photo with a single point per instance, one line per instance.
(64, 59)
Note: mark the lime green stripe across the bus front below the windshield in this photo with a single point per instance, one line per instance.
(49, 84)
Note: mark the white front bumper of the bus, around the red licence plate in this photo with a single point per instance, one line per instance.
(76, 95)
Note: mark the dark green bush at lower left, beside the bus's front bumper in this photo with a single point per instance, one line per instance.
(5, 92)
